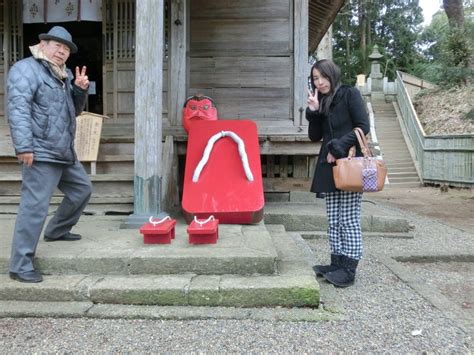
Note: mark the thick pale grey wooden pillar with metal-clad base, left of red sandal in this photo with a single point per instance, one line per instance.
(148, 112)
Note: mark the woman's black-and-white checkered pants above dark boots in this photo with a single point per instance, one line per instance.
(344, 232)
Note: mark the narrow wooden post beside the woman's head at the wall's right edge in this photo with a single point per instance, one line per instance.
(301, 71)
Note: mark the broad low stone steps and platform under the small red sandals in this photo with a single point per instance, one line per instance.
(250, 266)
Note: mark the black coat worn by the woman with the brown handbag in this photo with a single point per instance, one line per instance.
(346, 112)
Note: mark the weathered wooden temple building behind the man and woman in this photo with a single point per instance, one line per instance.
(145, 57)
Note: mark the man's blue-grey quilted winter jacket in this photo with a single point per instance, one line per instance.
(42, 111)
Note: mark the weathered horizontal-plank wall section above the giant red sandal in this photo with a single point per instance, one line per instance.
(241, 54)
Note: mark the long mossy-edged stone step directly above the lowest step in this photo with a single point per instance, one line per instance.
(169, 290)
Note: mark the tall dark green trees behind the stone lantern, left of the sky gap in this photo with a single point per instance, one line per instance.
(393, 25)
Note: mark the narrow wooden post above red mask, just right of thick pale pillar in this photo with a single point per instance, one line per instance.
(177, 62)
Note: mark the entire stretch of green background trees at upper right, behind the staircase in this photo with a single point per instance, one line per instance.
(435, 53)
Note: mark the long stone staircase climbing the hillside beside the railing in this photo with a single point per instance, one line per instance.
(401, 169)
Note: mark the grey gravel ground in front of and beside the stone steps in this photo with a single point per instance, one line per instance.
(381, 314)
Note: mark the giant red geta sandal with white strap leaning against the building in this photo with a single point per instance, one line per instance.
(228, 185)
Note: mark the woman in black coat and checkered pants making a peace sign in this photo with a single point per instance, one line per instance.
(334, 110)
